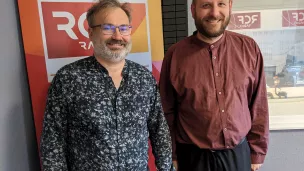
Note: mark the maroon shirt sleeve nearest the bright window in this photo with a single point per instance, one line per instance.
(258, 136)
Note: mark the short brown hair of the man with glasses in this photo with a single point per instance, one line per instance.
(106, 4)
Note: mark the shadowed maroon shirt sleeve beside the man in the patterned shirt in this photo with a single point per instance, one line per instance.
(168, 98)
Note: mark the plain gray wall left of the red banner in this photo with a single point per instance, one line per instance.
(17, 134)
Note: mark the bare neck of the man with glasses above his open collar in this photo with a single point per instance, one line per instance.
(114, 68)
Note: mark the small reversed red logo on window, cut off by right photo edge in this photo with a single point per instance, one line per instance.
(293, 18)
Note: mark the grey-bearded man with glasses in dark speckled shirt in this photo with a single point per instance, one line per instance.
(101, 110)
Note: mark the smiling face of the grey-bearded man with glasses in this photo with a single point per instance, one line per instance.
(111, 47)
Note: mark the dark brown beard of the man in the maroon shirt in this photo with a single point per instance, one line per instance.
(208, 30)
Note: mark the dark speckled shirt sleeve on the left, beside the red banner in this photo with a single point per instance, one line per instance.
(53, 138)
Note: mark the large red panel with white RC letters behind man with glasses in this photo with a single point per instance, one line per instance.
(65, 29)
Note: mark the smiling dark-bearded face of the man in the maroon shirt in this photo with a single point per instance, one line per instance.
(211, 16)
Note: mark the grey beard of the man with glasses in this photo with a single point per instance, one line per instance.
(112, 55)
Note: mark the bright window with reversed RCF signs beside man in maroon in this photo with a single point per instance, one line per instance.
(280, 36)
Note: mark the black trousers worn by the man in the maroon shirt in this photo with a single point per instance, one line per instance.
(192, 158)
